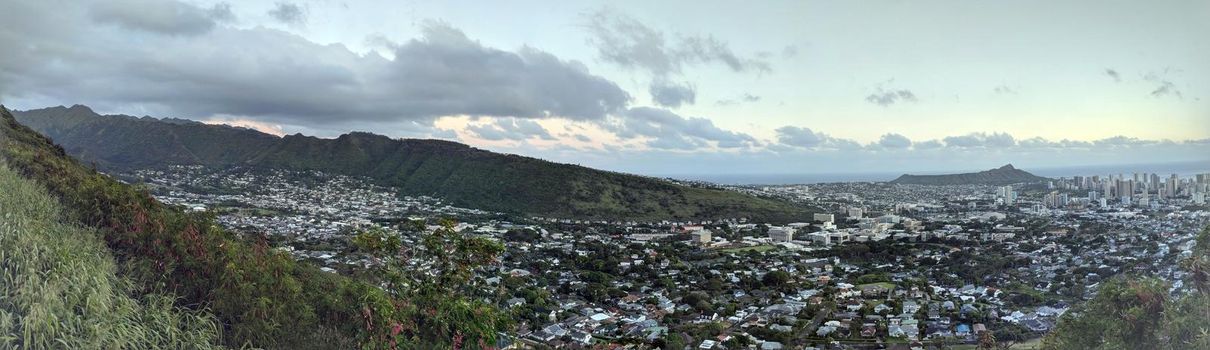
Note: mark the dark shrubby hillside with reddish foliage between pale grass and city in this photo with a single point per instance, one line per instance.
(260, 297)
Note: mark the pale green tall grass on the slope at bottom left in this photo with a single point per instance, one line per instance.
(60, 286)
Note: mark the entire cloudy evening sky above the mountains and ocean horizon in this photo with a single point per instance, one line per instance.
(652, 88)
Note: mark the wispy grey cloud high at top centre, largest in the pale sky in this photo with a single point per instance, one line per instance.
(627, 43)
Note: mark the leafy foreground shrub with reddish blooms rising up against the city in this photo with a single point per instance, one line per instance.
(431, 285)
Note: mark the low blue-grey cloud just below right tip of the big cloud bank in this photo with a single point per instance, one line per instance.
(666, 130)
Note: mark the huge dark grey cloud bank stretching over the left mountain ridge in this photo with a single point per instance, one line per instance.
(278, 77)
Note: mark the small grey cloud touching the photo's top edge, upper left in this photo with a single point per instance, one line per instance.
(163, 18)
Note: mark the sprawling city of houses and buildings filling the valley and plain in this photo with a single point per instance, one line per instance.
(880, 265)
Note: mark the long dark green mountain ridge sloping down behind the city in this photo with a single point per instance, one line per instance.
(462, 175)
